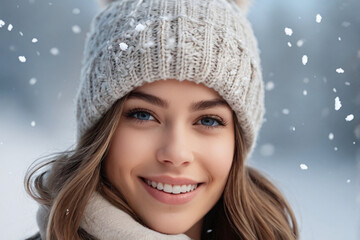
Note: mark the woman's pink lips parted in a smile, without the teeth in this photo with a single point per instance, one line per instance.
(168, 198)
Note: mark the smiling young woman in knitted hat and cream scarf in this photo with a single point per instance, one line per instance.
(168, 110)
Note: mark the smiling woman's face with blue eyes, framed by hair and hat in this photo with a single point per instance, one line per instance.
(171, 154)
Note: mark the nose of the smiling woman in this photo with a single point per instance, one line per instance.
(175, 149)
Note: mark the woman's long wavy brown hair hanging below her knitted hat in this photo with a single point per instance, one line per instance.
(251, 207)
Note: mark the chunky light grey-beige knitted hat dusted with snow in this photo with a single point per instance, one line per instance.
(133, 42)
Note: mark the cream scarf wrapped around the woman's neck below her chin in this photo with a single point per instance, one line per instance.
(106, 222)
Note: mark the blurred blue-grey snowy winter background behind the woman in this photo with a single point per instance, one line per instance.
(309, 144)
